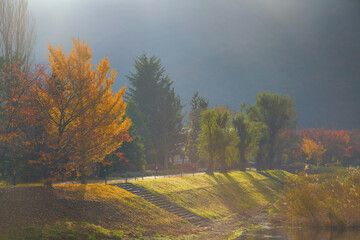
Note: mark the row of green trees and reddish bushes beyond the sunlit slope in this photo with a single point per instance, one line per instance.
(266, 135)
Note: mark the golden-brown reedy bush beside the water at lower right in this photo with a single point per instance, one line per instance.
(326, 200)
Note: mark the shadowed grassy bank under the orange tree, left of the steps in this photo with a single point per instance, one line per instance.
(95, 211)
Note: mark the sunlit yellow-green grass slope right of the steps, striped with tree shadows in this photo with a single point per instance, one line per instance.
(221, 194)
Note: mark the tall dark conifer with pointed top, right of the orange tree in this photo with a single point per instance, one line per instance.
(152, 91)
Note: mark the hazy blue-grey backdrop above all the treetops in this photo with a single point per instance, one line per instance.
(227, 50)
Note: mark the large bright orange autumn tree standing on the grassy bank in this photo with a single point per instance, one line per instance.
(83, 120)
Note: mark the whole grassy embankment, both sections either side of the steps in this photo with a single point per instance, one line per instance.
(99, 211)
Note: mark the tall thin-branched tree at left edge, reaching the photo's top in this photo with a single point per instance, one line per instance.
(17, 38)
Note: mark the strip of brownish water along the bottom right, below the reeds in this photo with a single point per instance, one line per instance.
(298, 234)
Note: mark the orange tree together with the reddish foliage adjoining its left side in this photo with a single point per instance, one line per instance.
(69, 118)
